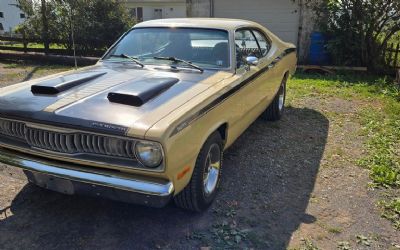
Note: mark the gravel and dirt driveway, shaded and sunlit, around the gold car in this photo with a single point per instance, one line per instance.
(292, 184)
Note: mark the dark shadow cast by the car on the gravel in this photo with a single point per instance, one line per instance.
(269, 174)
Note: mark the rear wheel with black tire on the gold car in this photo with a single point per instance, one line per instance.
(276, 109)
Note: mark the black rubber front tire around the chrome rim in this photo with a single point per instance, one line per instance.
(194, 196)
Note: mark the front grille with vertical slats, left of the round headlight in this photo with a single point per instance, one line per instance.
(69, 143)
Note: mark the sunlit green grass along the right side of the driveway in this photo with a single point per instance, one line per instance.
(379, 116)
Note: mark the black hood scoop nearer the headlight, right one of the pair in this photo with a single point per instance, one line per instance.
(139, 92)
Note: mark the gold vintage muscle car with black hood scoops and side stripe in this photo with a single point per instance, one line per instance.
(150, 121)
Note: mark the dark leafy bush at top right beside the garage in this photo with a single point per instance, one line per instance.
(359, 29)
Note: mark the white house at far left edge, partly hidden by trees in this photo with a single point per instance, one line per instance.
(11, 15)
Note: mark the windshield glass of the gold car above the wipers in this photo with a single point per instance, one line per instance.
(208, 48)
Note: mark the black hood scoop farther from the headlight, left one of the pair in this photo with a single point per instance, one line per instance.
(58, 85)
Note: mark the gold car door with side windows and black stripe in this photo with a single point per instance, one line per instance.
(254, 94)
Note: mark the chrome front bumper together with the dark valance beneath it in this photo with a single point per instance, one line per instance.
(71, 179)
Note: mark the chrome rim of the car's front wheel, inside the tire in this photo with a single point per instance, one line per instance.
(212, 169)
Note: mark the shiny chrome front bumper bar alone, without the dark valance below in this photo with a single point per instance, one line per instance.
(52, 168)
